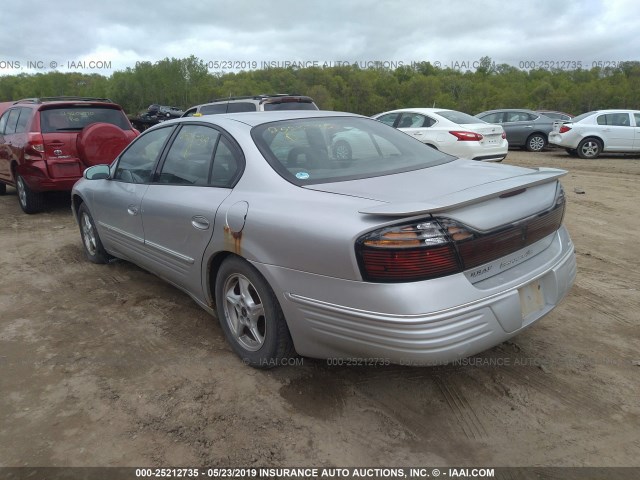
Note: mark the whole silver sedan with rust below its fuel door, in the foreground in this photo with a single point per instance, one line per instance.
(403, 254)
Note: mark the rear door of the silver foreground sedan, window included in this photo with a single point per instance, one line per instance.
(179, 207)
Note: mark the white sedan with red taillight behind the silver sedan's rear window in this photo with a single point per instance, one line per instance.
(451, 132)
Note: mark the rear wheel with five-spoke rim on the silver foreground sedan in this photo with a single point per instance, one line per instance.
(250, 315)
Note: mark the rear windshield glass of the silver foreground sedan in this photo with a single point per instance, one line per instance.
(332, 149)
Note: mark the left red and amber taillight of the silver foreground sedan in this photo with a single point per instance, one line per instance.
(406, 253)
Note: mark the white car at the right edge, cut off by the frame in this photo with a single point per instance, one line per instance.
(592, 133)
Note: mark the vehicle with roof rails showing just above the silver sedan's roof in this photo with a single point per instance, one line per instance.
(255, 103)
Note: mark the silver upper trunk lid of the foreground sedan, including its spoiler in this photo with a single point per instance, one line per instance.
(481, 195)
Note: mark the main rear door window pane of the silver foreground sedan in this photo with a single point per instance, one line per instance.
(189, 159)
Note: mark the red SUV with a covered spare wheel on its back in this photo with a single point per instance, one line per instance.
(46, 143)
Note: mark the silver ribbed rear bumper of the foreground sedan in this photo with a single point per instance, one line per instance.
(421, 323)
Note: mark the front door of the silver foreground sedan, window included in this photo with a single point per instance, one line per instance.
(117, 201)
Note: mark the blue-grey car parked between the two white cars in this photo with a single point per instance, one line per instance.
(524, 128)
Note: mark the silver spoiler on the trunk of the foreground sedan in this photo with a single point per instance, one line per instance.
(467, 196)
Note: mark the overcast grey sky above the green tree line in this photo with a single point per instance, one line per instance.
(74, 35)
